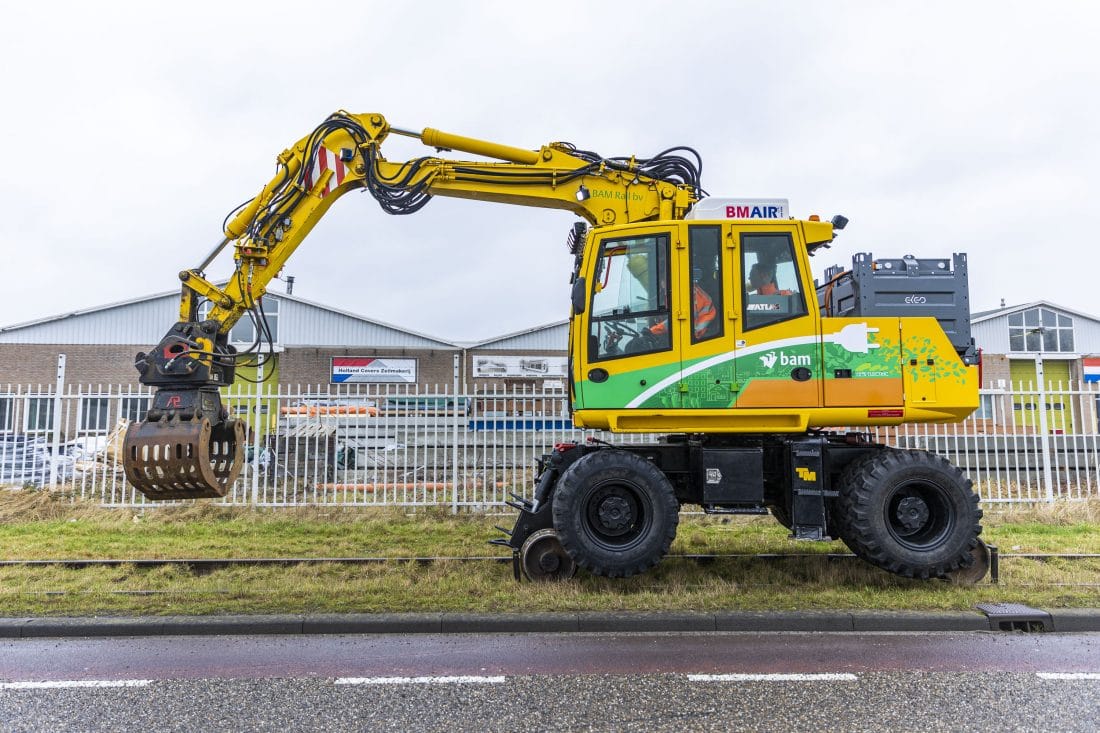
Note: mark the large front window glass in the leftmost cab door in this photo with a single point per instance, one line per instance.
(631, 299)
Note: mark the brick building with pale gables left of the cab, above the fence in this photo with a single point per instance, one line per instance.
(313, 345)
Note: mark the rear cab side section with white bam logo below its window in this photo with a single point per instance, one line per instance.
(777, 334)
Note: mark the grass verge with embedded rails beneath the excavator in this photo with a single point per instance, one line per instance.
(39, 526)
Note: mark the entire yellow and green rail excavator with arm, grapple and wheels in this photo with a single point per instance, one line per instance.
(692, 318)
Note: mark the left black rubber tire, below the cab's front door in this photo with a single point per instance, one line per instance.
(615, 513)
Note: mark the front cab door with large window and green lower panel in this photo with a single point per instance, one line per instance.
(623, 342)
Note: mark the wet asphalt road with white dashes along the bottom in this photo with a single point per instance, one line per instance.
(556, 683)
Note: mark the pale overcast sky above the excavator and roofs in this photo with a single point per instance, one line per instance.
(934, 127)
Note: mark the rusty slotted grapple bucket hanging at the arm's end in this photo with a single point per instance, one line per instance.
(184, 460)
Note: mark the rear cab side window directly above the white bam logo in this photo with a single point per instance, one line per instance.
(773, 290)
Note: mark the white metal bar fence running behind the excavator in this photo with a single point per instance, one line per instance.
(388, 445)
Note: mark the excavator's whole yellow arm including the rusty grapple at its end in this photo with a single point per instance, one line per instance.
(189, 446)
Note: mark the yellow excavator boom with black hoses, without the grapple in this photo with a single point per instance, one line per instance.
(322, 168)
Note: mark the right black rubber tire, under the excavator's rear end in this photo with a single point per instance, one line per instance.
(909, 512)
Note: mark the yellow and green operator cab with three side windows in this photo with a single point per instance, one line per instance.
(679, 314)
